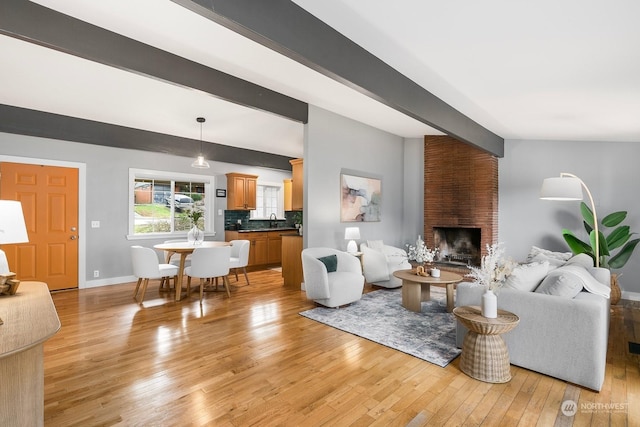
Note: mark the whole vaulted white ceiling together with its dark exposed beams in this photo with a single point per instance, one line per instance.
(514, 70)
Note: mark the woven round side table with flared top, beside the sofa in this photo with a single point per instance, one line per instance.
(485, 356)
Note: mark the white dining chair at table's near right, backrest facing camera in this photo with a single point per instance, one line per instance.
(209, 263)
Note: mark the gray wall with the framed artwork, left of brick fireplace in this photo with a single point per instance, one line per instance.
(335, 144)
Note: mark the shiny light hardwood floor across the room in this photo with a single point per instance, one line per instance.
(252, 360)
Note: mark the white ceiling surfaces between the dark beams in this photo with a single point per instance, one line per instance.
(554, 70)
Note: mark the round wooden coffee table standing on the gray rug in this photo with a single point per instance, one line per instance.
(416, 289)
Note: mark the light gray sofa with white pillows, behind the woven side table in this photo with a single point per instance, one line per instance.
(561, 336)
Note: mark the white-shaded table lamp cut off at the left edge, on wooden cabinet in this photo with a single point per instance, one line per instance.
(12, 230)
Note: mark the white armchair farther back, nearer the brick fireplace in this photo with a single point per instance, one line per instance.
(379, 263)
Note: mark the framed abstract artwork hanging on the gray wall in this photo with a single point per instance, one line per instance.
(360, 198)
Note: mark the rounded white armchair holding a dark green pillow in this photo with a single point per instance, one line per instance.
(332, 288)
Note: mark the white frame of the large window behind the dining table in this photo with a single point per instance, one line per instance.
(209, 196)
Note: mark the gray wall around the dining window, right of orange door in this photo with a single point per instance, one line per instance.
(106, 198)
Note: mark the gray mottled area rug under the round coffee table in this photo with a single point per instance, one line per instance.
(380, 317)
